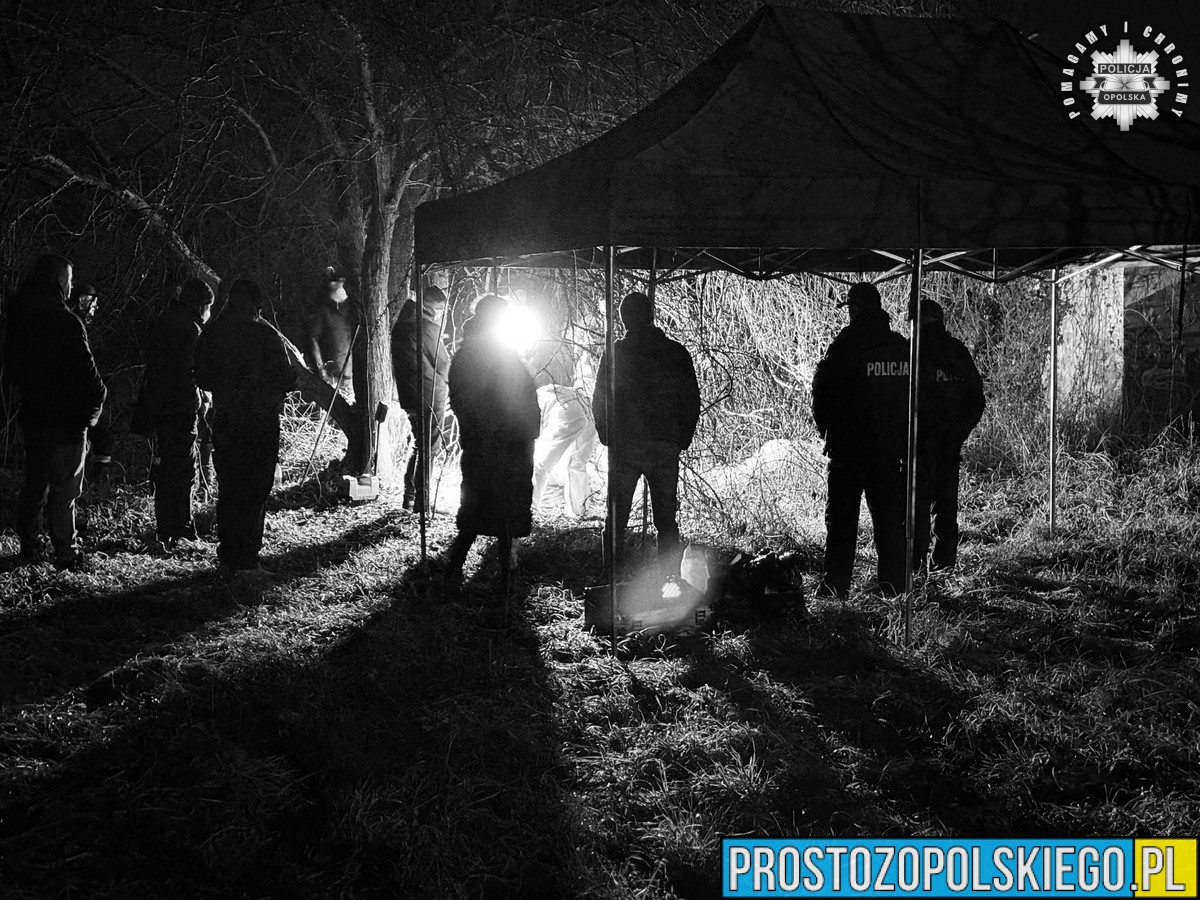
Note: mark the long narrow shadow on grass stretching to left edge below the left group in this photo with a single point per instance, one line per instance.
(73, 639)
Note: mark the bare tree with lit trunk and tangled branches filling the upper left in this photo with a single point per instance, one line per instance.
(267, 137)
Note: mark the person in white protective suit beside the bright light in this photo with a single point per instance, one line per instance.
(568, 434)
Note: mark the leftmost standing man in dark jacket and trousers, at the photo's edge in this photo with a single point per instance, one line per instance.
(50, 363)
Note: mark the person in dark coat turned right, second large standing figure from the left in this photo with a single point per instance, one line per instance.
(170, 405)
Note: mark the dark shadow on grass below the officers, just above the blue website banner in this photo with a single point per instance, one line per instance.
(877, 722)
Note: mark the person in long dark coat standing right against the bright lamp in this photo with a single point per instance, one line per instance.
(495, 401)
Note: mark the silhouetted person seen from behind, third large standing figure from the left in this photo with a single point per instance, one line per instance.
(245, 365)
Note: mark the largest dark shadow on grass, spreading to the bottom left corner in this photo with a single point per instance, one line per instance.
(416, 757)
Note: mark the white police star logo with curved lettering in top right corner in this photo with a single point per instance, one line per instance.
(1127, 75)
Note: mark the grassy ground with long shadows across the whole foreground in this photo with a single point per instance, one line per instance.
(347, 733)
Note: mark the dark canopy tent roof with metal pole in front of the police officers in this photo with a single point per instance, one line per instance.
(835, 143)
